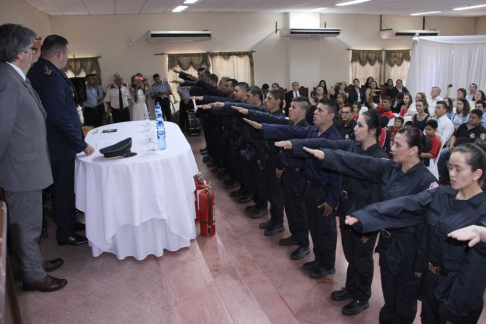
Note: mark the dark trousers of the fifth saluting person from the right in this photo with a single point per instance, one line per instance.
(294, 188)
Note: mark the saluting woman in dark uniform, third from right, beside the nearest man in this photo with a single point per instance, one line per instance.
(356, 193)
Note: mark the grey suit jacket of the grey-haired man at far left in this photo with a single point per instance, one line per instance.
(24, 158)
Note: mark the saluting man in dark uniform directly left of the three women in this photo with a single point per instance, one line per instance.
(323, 191)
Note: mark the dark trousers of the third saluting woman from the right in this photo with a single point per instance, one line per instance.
(359, 255)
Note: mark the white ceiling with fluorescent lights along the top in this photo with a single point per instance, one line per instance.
(374, 7)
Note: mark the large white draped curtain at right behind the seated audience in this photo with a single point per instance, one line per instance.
(443, 60)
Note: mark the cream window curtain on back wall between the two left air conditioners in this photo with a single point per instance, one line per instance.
(237, 67)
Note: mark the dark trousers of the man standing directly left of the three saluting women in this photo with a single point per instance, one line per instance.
(323, 229)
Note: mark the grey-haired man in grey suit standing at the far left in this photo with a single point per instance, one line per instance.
(24, 160)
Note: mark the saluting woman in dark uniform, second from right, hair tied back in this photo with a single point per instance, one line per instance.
(401, 259)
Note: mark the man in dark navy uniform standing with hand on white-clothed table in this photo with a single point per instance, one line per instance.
(64, 134)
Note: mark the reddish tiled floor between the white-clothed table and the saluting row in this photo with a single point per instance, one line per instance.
(237, 276)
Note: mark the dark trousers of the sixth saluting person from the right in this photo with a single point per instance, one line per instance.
(273, 188)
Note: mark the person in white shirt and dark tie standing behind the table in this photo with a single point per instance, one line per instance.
(117, 95)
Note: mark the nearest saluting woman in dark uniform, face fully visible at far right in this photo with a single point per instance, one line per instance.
(455, 279)
